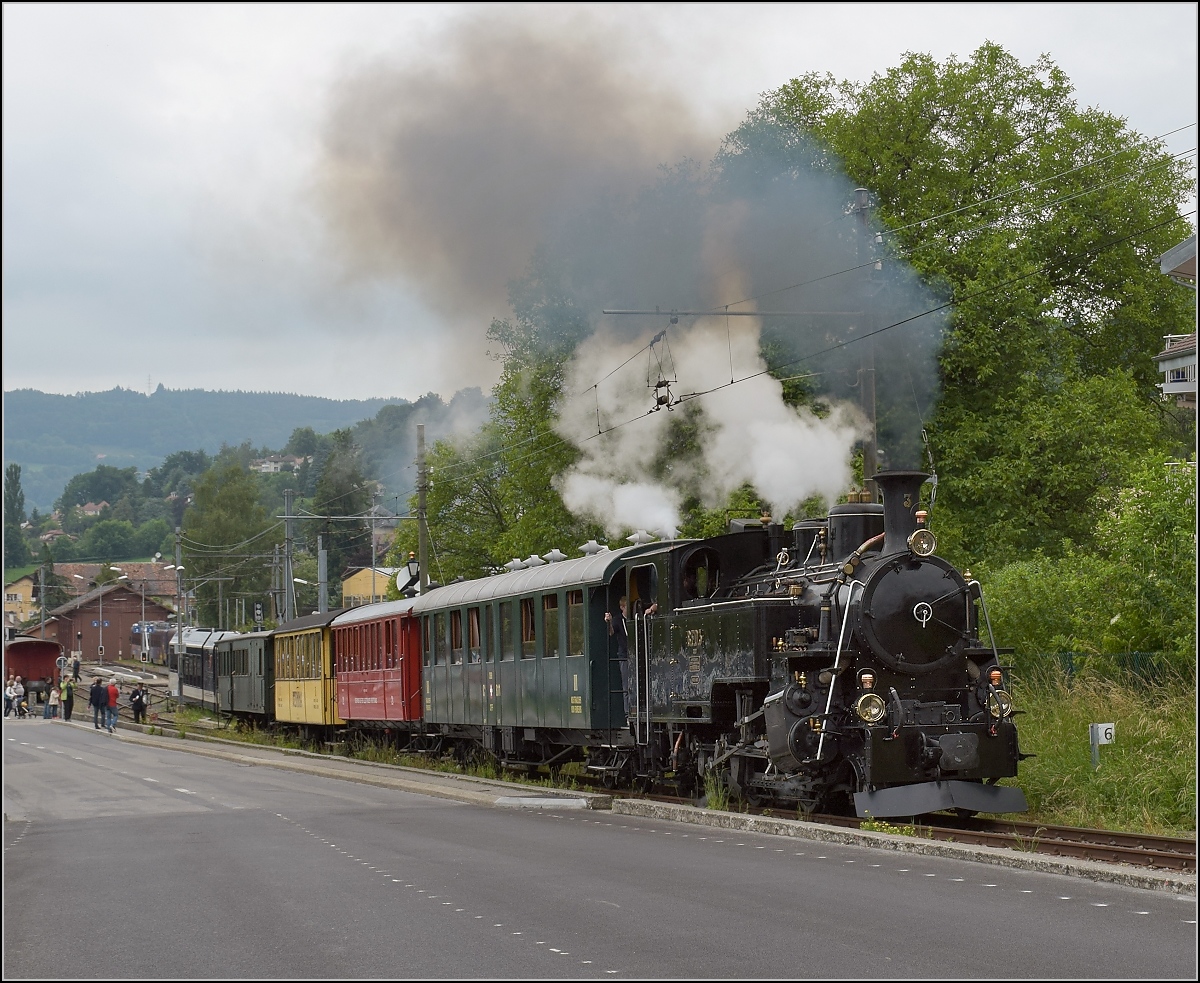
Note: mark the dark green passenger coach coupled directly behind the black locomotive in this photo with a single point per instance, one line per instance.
(524, 662)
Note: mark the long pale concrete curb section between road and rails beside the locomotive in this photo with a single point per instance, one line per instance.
(1130, 877)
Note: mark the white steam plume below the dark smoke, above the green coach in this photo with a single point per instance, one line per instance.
(749, 433)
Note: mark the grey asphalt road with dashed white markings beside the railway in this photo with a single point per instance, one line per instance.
(124, 861)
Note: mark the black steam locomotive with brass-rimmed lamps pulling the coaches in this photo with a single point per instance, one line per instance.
(838, 669)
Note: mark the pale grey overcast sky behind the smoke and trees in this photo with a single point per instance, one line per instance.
(166, 169)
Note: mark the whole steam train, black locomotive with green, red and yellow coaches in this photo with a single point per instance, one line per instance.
(833, 668)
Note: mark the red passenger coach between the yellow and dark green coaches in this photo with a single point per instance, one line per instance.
(377, 663)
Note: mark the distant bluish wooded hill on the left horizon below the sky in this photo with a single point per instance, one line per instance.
(56, 437)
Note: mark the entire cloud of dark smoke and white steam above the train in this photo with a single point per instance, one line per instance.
(519, 147)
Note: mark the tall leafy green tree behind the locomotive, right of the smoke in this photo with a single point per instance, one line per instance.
(1042, 221)
